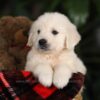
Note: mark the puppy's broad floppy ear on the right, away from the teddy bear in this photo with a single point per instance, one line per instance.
(72, 37)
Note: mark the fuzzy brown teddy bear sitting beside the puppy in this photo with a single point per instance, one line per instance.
(13, 38)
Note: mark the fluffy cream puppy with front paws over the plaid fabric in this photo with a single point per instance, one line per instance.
(52, 58)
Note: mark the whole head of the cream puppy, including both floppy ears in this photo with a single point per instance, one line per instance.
(53, 32)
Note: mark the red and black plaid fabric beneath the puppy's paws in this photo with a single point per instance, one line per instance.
(21, 85)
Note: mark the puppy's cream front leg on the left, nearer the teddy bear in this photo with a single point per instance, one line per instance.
(44, 74)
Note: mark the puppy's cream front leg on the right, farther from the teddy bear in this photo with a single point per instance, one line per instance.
(62, 74)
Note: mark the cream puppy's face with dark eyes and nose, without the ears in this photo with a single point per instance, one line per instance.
(48, 36)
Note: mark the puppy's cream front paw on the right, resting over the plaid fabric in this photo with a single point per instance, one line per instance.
(61, 78)
